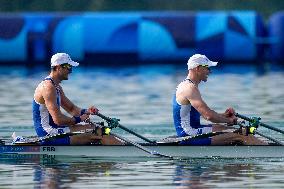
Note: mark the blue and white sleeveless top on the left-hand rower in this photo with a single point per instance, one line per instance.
(43, 122)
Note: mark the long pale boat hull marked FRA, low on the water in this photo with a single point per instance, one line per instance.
(132, 151)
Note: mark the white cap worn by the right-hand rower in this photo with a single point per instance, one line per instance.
(199, 60)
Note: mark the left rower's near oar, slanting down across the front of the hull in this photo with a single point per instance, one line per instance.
(155, 153)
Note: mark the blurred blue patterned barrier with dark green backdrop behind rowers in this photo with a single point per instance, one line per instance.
(131, 32)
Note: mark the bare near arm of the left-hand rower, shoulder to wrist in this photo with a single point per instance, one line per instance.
(49, 96)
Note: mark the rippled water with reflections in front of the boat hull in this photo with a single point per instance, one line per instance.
(67, 172)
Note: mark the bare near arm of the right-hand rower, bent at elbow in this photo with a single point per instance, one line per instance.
(194, 96)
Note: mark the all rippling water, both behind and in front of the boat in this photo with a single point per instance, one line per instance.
(141, 97)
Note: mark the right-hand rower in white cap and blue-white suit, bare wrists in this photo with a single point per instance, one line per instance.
(188, 105)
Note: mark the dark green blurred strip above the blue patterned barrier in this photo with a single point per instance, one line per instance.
(265, 8)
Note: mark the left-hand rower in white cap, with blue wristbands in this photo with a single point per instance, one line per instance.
(48, 119)
